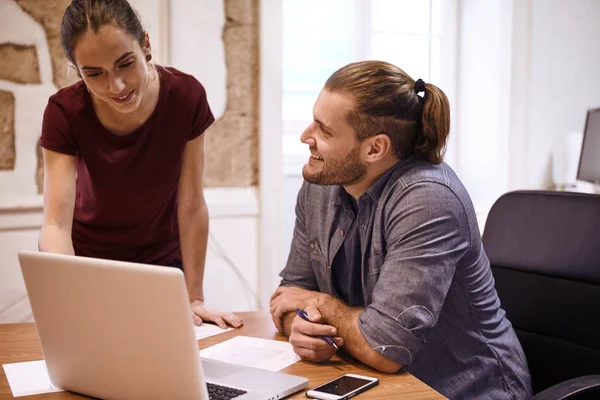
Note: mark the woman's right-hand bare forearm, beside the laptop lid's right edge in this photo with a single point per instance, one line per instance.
(193, 233)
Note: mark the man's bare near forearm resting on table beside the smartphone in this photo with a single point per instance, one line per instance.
(345, 320)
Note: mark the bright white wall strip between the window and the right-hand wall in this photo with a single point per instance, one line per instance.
(482, 109)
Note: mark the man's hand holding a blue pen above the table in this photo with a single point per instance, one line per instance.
(305, 339)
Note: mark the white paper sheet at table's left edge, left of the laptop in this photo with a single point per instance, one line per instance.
(28, 378)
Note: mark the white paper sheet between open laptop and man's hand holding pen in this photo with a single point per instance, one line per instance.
(271, 355)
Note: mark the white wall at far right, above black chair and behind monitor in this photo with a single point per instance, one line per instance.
(564, 78)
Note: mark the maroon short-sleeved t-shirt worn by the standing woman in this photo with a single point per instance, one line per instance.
(126, 191)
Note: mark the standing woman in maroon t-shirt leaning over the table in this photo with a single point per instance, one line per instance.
(123, 152)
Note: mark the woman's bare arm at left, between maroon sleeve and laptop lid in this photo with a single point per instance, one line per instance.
(59, 203)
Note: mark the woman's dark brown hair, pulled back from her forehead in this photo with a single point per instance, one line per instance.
(89, 15)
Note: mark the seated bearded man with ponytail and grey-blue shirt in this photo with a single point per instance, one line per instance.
(386, 255)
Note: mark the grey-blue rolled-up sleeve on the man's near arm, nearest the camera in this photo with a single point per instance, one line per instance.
(427, 234)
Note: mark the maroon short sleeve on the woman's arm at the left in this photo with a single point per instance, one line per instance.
(57, 134)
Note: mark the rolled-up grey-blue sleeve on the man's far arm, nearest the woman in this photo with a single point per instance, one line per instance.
(298, 269)
